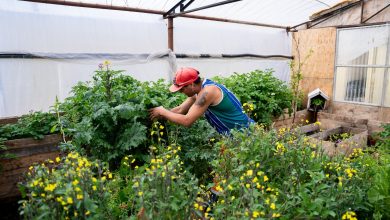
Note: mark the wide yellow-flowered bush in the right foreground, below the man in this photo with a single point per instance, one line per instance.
(267, 174)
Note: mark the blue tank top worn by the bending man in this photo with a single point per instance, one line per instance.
(228, 114)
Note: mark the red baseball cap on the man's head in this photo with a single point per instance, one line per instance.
(184, 76)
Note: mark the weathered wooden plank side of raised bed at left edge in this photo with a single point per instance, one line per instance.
(27, 151)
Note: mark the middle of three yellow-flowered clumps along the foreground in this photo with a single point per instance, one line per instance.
(161, 189)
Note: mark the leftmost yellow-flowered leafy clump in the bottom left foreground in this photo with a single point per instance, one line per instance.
(71, 187)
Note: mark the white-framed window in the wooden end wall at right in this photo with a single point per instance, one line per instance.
(362, 73)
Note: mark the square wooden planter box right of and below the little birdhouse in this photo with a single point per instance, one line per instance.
(356, 138)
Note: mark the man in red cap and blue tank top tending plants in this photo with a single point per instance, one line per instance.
(220, 107)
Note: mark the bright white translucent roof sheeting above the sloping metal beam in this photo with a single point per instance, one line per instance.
(279, 13)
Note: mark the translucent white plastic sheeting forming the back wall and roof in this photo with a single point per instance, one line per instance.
(61, 45)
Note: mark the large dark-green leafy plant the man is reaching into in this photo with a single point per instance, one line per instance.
(111, 114)
